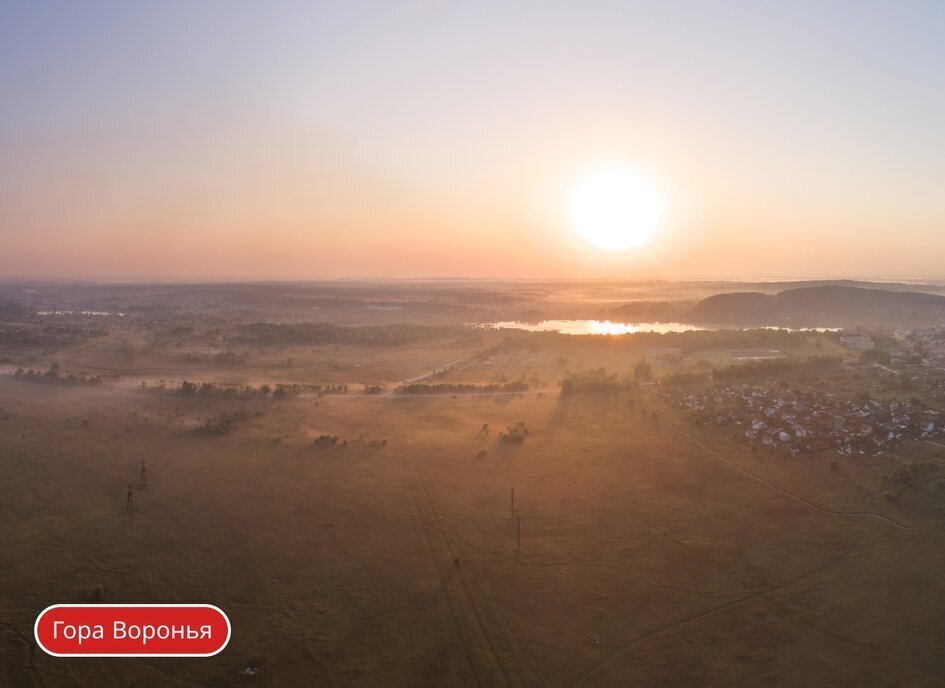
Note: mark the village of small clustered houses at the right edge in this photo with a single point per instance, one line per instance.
(862, 406)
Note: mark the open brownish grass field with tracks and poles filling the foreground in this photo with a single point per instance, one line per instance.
(652, 553)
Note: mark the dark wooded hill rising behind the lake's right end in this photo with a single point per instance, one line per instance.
(820, 306)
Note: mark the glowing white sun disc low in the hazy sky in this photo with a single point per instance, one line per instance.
(615, 210)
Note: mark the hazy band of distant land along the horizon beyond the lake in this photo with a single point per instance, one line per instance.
(839, 303)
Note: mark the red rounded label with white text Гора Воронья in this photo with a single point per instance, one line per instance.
(132, 630)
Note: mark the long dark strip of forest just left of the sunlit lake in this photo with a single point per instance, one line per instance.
(328, 333)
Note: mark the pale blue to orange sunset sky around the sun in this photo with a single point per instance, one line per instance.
(300, 140)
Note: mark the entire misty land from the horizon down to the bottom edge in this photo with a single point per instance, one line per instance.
(379, 485)
